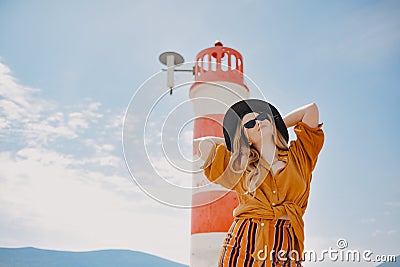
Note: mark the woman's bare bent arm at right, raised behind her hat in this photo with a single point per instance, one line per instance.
(308, 114)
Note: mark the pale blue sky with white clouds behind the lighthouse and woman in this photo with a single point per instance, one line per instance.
(69, 69)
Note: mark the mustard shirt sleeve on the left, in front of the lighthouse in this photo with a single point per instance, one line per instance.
(217, 170)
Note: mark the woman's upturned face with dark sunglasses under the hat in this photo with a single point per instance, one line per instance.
(261, 130)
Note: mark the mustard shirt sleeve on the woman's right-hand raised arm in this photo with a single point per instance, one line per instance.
(307, 146)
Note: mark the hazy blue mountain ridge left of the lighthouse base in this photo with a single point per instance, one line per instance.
(33, 257)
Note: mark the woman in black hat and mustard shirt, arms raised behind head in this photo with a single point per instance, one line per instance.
(271, 178)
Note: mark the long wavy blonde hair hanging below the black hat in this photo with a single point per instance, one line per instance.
(246, 157)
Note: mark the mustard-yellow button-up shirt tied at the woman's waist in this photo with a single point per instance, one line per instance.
(286, 192)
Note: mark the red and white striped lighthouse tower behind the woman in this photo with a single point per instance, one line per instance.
(218, 84)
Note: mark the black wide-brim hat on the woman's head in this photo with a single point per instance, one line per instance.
(236, 112)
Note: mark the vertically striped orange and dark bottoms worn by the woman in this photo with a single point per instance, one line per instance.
(240, 242)
